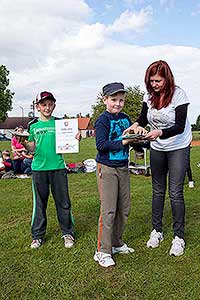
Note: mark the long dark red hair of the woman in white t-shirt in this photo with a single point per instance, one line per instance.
(162, 69)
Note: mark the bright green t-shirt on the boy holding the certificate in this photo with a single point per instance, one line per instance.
(45, 157)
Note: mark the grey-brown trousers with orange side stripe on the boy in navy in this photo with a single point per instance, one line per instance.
(114, 190)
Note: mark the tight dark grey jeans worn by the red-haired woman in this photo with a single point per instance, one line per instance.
(171, 164)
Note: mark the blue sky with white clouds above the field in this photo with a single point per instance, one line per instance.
(72, 48)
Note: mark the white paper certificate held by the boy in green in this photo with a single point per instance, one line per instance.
(66, 130)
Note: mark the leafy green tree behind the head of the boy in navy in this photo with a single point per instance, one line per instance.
(132, 106)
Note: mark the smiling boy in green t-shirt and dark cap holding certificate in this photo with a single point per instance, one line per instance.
(48, 169)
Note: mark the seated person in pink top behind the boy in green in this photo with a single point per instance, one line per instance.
(17, 149)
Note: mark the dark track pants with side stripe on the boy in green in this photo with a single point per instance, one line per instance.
(42, 180)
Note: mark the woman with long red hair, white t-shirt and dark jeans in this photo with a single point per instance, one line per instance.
(165, 110)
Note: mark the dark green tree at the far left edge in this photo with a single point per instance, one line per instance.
(5, 94)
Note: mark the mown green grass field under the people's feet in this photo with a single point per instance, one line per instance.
(53, 272)
